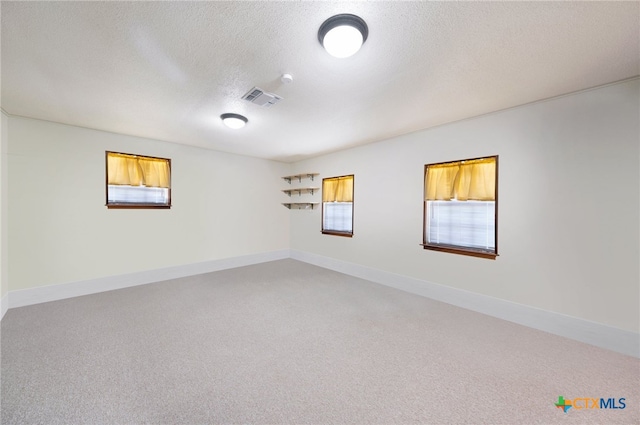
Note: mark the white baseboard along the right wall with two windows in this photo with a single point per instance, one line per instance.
(604, 336)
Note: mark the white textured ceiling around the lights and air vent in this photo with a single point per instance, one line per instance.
(167, 70)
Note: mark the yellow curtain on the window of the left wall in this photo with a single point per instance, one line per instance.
(132, 170)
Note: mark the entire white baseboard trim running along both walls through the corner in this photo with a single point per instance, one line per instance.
(600, 335)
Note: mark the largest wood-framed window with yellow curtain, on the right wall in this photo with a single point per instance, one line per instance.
(460, 207)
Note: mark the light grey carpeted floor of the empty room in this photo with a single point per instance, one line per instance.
(290, 343)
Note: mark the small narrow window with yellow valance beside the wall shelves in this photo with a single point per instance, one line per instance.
(337, 206)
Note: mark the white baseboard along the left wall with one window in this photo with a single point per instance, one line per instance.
(47, 293)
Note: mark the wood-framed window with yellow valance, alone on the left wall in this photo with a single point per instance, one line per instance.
(135, 181)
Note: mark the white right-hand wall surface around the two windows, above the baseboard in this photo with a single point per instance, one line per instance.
(568, 205)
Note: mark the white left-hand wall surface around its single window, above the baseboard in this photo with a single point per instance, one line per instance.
(60, 230)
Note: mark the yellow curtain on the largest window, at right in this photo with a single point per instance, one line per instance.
(462, 180)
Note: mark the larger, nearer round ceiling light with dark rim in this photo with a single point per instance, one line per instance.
(343, 35)
